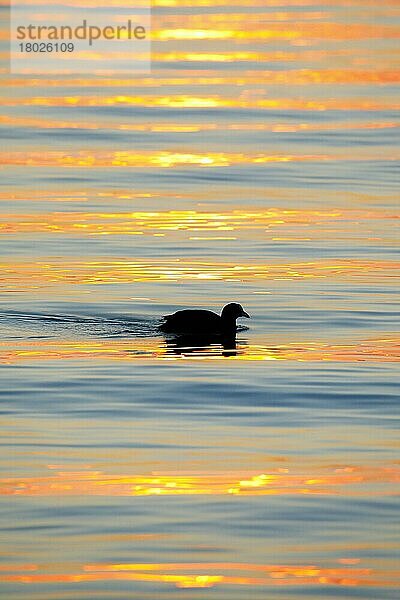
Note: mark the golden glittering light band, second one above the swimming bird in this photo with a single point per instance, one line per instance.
(238, 220)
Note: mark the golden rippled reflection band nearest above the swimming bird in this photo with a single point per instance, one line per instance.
(27, 275)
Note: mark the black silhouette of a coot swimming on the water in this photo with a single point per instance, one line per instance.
(204, 322)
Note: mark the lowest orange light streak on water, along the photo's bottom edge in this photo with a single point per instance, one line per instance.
(206, 575)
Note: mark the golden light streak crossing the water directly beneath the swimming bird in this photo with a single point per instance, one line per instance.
(383, 349)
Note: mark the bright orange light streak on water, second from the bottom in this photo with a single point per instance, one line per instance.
(280, 481)
